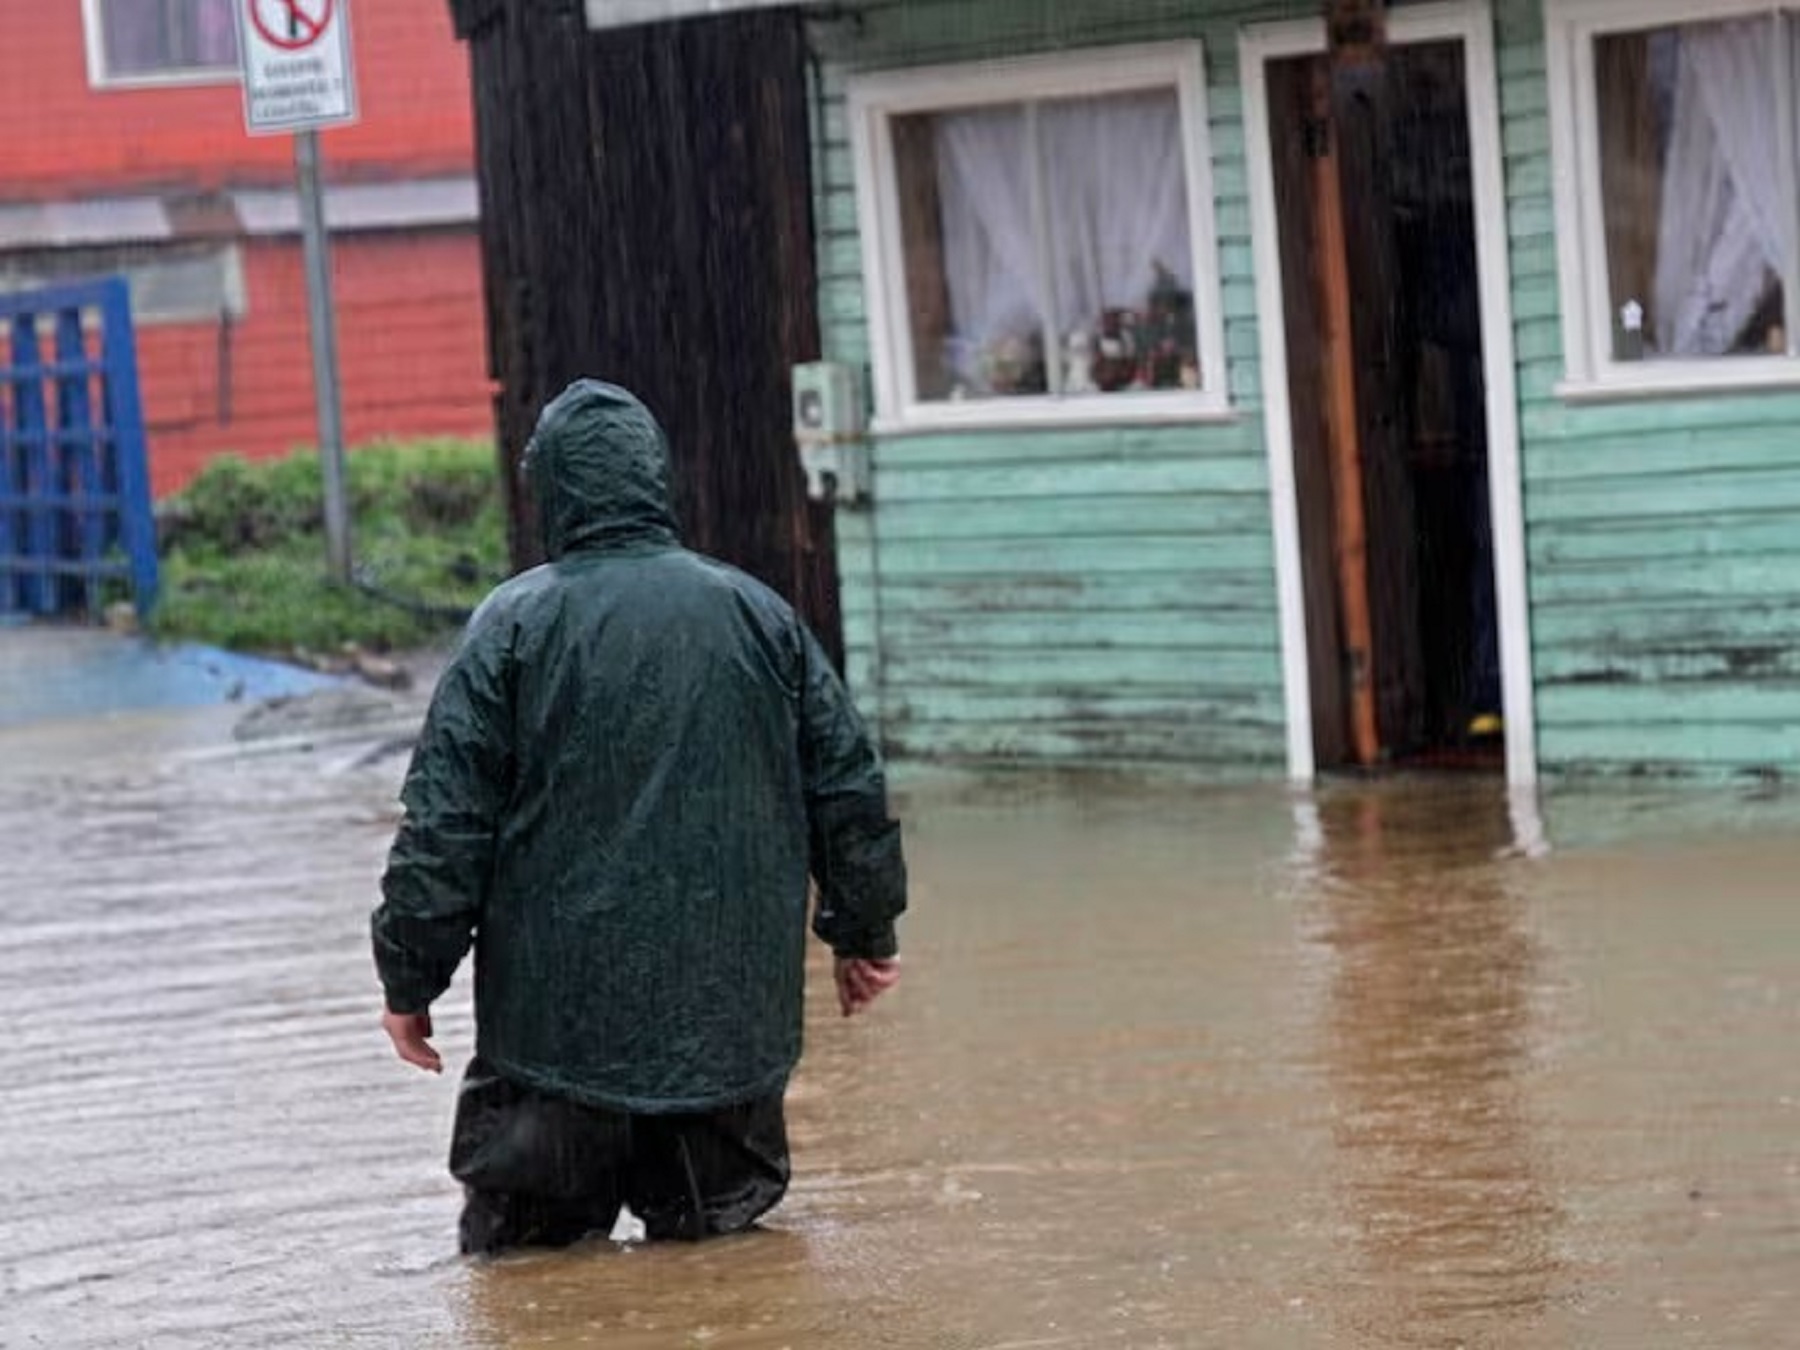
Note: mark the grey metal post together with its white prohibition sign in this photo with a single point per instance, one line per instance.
(298, 76)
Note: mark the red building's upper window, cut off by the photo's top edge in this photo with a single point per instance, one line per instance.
(134, 42)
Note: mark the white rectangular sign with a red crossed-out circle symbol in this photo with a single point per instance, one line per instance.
(298, 69)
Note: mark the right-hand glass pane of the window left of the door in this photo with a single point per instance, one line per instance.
(1122, 256)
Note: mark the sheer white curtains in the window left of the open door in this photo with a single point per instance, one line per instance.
(1117, 202)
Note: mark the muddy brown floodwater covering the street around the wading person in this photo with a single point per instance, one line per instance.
(1381, 1066)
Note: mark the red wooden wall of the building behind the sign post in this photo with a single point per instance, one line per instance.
(411, 330)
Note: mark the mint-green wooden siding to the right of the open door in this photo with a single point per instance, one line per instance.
(1662, 535)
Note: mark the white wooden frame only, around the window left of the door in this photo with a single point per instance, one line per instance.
(879, 98)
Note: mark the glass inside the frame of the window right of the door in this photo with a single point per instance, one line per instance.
(1696, 229)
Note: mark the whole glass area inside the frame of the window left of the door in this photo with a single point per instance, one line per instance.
(1104, 271)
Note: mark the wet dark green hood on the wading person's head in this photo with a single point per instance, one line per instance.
(600, 469)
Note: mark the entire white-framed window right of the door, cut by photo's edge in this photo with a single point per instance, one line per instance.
(1682, 219)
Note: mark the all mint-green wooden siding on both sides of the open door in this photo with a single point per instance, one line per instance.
(1099, 595)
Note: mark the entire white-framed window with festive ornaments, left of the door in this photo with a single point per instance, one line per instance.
(1038, 240)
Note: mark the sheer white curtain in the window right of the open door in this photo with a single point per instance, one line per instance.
(1723, 233)
